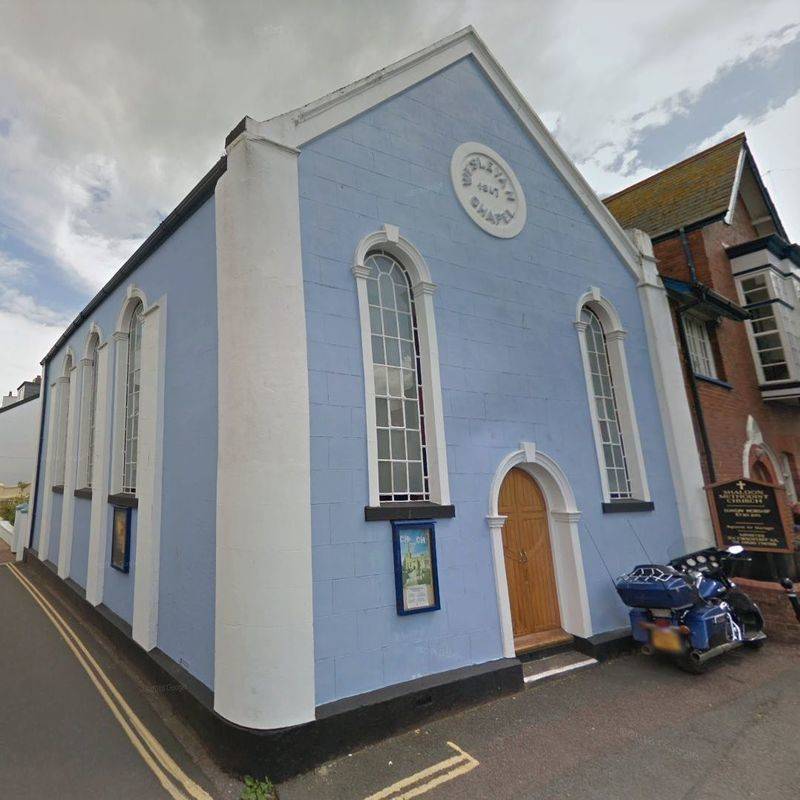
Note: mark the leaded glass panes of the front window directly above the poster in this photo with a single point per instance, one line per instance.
(397, 372)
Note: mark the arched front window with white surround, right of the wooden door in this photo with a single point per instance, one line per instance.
(619, 451)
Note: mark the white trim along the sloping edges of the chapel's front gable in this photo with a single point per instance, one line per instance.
(296, 128)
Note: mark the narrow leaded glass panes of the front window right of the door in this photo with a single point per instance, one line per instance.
(606, 409)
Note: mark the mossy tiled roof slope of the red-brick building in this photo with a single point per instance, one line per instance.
(696, 189)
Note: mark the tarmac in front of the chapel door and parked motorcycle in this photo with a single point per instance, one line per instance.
(633, 727)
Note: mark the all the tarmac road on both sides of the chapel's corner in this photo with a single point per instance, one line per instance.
(75, 725)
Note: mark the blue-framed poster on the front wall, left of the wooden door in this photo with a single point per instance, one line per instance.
(416, 579)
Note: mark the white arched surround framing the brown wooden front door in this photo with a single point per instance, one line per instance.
(563, 516)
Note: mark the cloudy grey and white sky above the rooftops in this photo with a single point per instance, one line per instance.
(110, 111)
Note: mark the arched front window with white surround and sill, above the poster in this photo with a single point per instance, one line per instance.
(407, 459)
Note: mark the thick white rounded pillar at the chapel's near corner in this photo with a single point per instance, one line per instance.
(264, 637)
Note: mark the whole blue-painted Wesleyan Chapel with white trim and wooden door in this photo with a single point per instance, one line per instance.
(414, 379)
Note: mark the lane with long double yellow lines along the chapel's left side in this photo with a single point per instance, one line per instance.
(59, 737)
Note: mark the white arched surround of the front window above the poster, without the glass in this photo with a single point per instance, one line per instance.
(389, 241)
